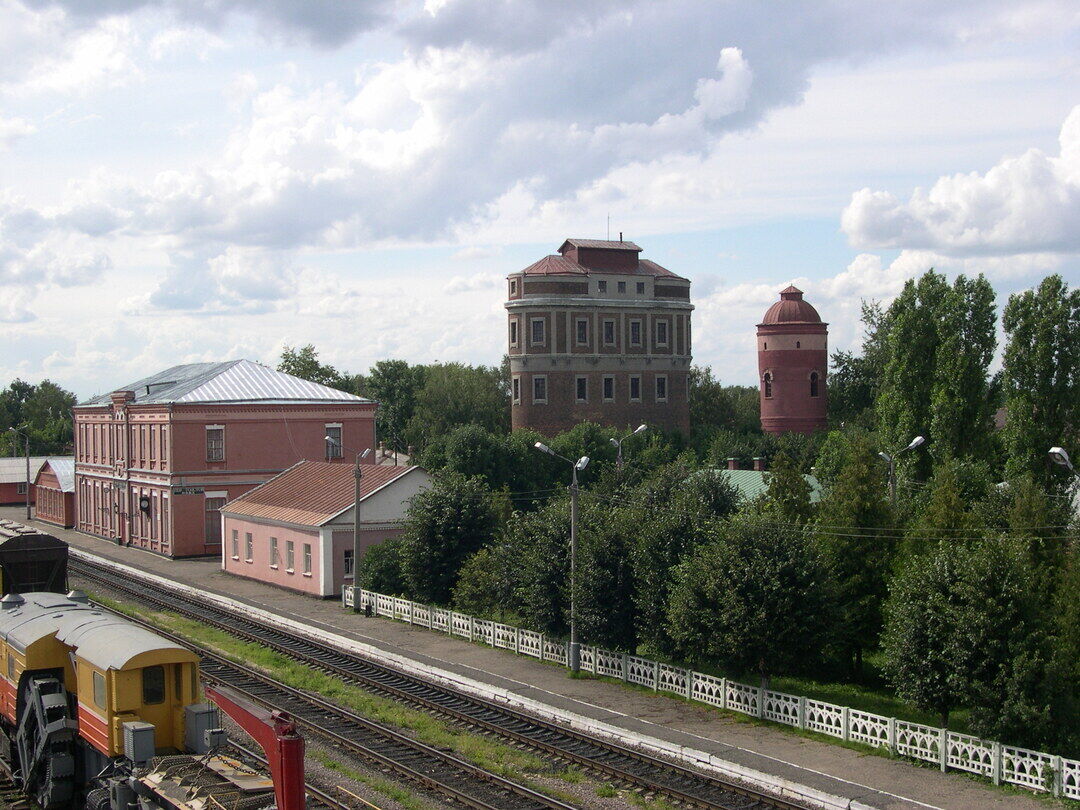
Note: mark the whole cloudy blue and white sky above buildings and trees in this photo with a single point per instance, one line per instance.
(188, 181)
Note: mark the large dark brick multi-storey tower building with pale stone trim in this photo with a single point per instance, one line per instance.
(598, 334)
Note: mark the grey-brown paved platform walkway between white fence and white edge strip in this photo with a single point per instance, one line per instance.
(867, 779)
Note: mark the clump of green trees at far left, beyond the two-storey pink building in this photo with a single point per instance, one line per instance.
(44, 412)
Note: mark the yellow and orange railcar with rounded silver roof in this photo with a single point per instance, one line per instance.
(85, 693)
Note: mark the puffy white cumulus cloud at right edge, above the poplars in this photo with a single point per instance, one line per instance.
(1025, 205)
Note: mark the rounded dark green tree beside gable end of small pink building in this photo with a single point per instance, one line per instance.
(445, 525)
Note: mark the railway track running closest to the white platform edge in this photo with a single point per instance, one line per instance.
(612, 760)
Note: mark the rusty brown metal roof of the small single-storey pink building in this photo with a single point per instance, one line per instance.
(313, 493)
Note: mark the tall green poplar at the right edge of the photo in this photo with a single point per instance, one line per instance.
(1042, 380)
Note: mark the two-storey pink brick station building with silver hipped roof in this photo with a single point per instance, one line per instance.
(157, 460)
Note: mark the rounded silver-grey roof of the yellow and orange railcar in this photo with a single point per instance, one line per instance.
(105, 641)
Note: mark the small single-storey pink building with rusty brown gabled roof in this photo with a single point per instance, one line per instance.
(296, 531)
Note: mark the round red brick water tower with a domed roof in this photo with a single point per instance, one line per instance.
(792, 362)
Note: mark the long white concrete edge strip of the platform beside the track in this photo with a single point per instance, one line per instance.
(777, 786)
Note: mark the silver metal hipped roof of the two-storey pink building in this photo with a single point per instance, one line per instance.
(233, 382)
